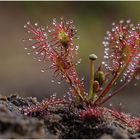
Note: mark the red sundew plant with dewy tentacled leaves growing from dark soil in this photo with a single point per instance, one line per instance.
(56, 46)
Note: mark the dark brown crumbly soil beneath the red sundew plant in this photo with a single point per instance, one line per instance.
(60, 122)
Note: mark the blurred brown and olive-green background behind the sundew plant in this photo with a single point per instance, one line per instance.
(20, 74)
